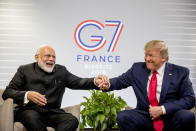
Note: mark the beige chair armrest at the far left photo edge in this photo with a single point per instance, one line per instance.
(7, 115)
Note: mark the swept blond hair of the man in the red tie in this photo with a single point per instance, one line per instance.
(158, 44)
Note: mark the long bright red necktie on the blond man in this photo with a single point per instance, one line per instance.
(158, 124)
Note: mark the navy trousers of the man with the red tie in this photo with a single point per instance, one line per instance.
(137, 120)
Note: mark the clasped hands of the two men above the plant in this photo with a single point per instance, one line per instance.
(102, 82)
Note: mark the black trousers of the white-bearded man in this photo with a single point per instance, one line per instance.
(35, 121)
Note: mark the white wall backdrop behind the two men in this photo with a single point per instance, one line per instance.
(27, 24)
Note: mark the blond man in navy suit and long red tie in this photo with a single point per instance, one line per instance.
(173, 93)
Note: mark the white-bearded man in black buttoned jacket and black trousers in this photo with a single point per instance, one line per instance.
(38, 90)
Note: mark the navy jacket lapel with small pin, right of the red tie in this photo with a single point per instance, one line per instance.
(166, 81)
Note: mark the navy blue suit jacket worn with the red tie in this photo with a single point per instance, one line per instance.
(177, 92)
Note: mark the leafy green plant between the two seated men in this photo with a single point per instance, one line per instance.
(100, 110)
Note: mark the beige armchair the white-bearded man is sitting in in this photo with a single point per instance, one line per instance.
(7, 117)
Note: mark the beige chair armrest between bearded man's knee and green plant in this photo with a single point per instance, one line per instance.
(75, 110)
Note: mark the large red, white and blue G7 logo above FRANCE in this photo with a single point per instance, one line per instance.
(100, 39)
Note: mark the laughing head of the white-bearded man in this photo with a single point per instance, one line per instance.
(46, 58)
